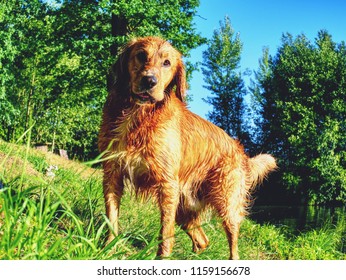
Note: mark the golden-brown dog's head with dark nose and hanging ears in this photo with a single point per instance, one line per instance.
(151, 68)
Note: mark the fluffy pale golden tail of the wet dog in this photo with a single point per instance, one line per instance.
(260, 166)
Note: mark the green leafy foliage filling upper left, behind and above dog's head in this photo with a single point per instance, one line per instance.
(54, 59)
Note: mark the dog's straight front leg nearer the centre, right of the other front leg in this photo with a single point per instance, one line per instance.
(168, 200)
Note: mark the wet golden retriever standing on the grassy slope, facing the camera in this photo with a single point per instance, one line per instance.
(149, 138)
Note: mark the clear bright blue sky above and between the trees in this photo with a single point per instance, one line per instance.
(261, 23)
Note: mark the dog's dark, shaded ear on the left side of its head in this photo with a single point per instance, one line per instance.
(118, 74)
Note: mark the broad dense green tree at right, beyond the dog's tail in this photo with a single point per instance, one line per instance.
(301, 93)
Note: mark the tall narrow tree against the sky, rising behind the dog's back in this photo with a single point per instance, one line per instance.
(224, 81)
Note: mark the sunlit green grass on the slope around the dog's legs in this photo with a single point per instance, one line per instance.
(63, 218)
